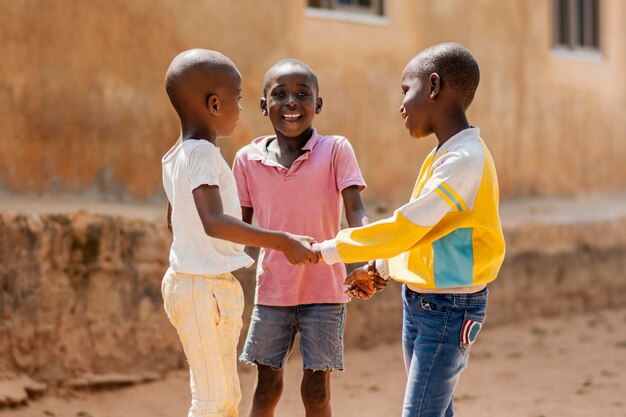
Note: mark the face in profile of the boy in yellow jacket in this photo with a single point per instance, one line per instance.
(417, 103)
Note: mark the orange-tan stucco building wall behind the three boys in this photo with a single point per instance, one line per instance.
(82, 107)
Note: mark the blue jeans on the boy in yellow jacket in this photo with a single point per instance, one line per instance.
(437, 333)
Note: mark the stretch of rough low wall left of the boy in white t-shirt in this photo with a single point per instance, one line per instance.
(80, 293)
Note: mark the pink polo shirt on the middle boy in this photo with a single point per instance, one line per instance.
(304, 199)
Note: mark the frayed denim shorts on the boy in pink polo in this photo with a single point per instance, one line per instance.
(273, 330)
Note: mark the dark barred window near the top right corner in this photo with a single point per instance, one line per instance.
(577, 24)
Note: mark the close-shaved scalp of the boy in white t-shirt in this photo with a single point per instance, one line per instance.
(196, 74)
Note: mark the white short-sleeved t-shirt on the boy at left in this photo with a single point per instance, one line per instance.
(186, 166)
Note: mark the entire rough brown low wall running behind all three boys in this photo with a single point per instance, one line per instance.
(80, 291)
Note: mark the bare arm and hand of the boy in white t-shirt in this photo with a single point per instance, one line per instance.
(222, 226)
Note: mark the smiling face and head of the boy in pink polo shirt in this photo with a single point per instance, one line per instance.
(291, 100)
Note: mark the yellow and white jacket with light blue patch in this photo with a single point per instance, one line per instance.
(449, 234)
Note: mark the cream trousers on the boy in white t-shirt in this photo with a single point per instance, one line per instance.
(206, 312)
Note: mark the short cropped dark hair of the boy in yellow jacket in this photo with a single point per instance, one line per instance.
(455, 65)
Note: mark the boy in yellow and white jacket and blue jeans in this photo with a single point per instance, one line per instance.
(446, 244)
